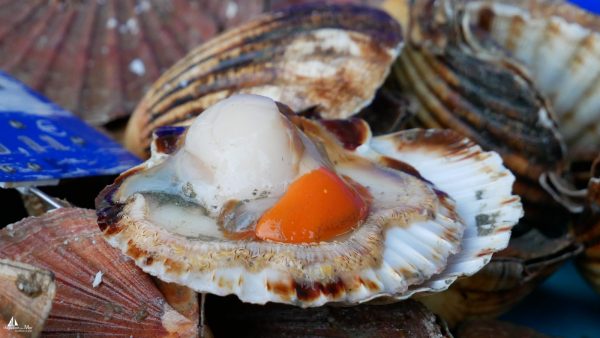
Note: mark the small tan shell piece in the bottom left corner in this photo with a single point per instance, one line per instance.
(26, 295)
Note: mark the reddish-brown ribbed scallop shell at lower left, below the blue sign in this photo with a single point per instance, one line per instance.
(124, 301)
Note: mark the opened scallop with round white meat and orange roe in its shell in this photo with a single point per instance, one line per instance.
(234, 205)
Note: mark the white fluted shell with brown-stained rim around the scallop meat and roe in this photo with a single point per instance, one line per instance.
(411, 255)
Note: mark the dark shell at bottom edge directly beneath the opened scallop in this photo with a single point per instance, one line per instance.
(228, 317)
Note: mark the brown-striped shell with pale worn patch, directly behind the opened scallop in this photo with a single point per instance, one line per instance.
(328, 57)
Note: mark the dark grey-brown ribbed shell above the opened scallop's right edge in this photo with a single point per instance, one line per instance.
(486, 100)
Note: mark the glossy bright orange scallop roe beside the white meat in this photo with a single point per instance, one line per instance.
(316, 207)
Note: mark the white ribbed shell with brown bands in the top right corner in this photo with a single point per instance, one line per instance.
(559, 44)
